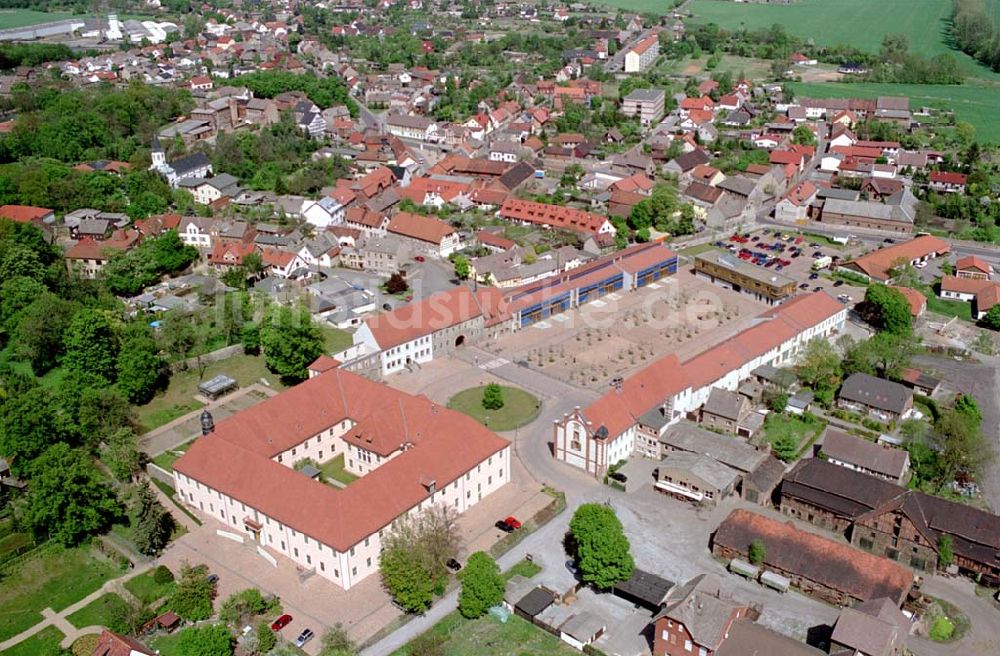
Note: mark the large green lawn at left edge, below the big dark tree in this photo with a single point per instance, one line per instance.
(56, 578)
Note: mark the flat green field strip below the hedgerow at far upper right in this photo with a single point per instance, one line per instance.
(973, 102)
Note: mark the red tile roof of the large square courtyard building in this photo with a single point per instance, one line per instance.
(441, 445)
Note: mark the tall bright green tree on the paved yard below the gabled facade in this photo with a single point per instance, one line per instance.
(602, 551)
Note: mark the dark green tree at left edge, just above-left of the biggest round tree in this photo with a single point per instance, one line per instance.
(29, 423)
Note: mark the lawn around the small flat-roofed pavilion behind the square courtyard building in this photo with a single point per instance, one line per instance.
(176, 401)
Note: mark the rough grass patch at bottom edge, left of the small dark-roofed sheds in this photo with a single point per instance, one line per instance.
(488, 637)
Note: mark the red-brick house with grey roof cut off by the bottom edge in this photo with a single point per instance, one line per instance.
(695, 619)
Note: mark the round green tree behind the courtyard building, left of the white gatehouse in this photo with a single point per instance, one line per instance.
(291, 342)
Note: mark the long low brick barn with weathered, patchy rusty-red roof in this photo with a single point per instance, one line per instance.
(828, 569)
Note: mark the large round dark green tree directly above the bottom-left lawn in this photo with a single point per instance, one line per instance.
(67, 498)
